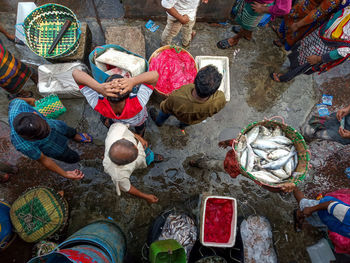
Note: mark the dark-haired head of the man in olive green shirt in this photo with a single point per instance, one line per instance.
(207, 81)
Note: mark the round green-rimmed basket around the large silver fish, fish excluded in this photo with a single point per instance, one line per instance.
(299, 144)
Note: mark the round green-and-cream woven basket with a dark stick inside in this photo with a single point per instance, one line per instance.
(42, 26)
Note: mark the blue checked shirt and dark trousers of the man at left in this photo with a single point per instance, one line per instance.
(52, 146)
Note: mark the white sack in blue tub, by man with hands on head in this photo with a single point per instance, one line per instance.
(135, 65)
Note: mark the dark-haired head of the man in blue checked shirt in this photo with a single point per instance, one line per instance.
(31, 126)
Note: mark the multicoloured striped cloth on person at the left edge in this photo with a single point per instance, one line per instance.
(13, 73)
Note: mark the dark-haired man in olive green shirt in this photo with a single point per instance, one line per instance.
(193, 103)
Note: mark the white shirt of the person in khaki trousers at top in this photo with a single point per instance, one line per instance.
(184, 7)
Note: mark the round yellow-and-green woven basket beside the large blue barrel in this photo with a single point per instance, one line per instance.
(39, 213)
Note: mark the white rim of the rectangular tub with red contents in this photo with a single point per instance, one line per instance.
(232, 240)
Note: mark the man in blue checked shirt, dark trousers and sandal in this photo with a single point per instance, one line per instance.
(43, 139)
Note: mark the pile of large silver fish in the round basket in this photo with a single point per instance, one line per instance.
(268, 154)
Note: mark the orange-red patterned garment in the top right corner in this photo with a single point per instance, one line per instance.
(313, 12)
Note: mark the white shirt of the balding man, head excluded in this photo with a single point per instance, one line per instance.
(120, 174)
